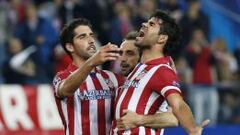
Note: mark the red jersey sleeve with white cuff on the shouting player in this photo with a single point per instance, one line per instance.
(166, 81)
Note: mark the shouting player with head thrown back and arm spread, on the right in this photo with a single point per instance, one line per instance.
(153, 80)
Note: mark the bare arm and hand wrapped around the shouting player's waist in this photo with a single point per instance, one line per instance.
(158, 120)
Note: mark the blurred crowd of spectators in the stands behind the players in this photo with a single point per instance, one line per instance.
(30, 52)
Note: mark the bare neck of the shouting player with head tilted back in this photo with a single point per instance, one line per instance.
(150, 54)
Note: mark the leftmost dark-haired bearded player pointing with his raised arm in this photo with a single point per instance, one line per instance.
(84, 94)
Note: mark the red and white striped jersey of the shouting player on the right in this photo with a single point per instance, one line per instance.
(144, 92)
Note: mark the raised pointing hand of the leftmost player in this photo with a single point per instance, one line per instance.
(108, 52)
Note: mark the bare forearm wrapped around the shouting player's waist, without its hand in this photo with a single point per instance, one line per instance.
(159, 120)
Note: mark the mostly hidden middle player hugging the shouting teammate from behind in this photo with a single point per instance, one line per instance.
(129, 57)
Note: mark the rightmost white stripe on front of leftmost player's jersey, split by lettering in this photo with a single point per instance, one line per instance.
(107, 104)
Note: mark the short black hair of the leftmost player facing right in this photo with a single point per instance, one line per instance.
(67, 33)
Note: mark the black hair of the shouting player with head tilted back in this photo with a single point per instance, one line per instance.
(168, 27)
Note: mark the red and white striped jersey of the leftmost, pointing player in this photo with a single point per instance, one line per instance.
(89, 110)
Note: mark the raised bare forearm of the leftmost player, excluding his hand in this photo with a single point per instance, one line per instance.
(73, 81)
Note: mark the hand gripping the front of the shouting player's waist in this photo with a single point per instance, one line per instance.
(129, 120)
